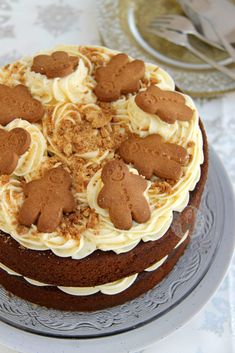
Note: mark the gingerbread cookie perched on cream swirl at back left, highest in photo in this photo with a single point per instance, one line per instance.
(58, 64)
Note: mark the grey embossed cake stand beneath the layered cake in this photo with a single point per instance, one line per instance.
(140, 322)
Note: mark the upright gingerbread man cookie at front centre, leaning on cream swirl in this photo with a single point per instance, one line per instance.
(122, 195)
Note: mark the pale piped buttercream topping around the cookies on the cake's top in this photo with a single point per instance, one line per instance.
(162, 205)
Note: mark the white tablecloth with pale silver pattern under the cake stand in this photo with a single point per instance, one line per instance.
(28, 26)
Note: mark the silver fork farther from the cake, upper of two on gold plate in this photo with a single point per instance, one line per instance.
(181, 24)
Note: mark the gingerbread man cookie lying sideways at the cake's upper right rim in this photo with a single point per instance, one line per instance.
(168, 105)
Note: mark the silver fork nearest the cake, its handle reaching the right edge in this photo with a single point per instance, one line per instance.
(182, 39)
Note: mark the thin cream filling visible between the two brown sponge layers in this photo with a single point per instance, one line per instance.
(111, 288)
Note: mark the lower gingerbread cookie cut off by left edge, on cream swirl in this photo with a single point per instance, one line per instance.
(12, 145)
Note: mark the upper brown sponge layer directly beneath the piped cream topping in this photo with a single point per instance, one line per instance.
(101, 267)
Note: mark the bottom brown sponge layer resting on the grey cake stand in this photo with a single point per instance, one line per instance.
(52, 297)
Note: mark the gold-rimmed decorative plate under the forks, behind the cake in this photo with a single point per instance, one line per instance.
(122, 25)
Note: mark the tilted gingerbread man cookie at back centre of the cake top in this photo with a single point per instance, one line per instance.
(118, 77)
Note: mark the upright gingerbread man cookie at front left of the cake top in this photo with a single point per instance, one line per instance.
(46, 200)
